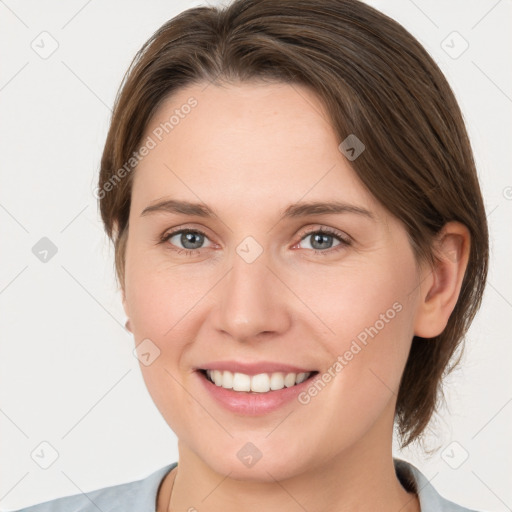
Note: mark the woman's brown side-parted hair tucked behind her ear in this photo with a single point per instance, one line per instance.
(378, 83)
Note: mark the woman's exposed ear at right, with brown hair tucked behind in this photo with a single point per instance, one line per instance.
(440, 286)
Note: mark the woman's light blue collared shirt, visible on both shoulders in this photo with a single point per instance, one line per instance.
(141, 495)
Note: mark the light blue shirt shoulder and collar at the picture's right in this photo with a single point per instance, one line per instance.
(430, 499)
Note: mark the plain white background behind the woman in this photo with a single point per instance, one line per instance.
(68, 375)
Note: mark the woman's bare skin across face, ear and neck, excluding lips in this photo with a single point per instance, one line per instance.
(248, 150)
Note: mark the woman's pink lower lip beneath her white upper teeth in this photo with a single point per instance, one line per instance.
(251, 403)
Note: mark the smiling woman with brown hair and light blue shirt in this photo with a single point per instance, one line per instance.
(301, 245)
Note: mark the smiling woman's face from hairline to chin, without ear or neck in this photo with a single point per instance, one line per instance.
(254, 282)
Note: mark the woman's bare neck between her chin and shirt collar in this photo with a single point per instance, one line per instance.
(344, 483)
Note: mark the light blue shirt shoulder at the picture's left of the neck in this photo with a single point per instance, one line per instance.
(139, 496)
